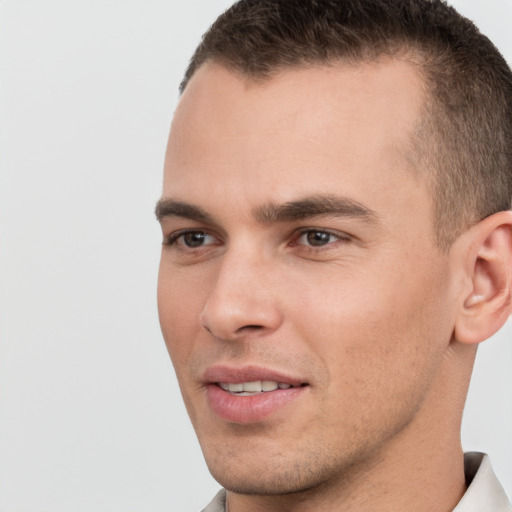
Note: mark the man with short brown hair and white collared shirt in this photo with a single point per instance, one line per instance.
(337, 241)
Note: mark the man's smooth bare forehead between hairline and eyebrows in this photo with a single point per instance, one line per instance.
(338, 128)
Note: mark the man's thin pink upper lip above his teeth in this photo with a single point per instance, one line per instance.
(229, 374)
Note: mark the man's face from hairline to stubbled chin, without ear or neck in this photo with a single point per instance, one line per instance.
(299, 255)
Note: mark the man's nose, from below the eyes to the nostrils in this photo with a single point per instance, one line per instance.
(243, 301)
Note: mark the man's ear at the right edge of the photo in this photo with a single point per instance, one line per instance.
(489, 274)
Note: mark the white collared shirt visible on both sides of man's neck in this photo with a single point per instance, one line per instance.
(484, 492)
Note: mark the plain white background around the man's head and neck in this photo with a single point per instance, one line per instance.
(90, 414)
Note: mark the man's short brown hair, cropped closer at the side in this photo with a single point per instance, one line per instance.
(465, 136)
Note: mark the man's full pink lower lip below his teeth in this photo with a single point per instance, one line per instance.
(249, 409)
